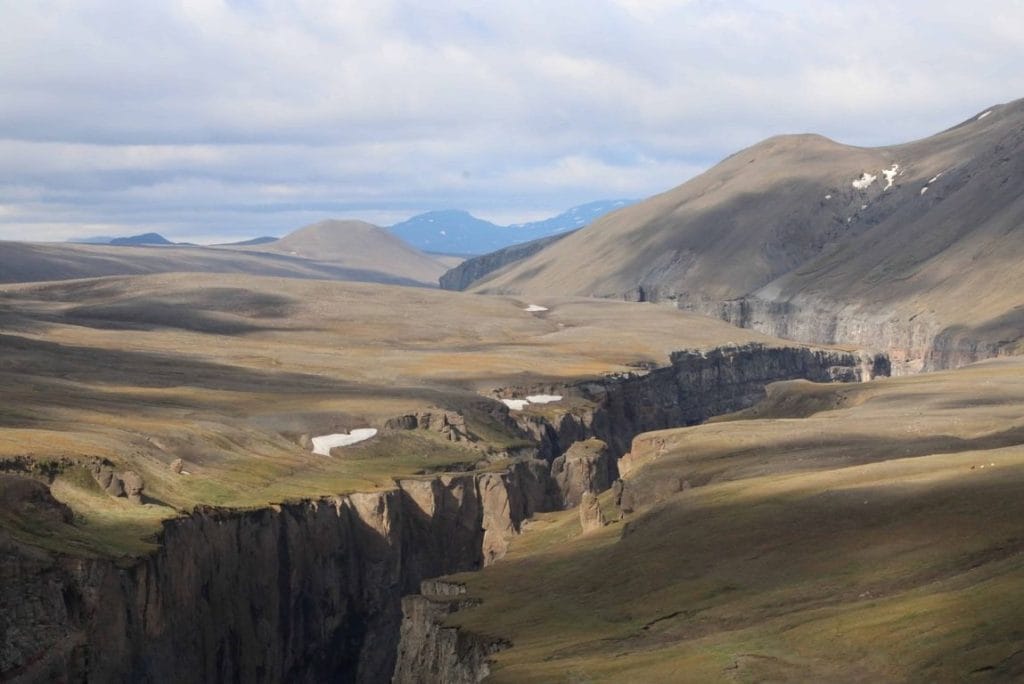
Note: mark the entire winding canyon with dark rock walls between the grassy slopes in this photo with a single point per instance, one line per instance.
(313, 591)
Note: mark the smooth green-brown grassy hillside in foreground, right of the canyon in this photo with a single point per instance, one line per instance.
(865, 533)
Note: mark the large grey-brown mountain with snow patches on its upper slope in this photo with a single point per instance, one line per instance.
(915, 248)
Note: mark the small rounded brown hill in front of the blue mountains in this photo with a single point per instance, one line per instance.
(357, 245)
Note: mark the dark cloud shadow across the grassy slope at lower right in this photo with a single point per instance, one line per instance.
(697, 569)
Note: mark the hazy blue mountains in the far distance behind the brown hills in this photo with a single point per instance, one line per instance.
(457, 232)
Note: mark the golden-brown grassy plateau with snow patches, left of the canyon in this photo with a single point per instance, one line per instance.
(231, 373)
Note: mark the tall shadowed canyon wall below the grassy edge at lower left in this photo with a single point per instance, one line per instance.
(300, 592)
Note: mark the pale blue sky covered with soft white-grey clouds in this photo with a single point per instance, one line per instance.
(216, 120)
